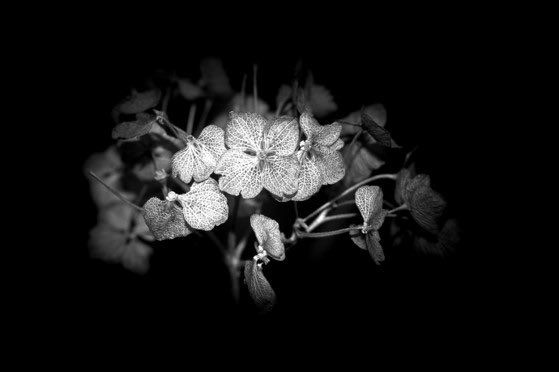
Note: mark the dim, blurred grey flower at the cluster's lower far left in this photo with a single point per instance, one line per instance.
(120, 237)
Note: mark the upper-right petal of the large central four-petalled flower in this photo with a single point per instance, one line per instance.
(283, 136)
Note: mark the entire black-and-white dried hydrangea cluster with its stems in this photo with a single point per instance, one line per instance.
(184, 181)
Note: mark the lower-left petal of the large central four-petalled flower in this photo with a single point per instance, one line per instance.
(239, 174)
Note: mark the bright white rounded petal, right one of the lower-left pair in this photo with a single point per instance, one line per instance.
(204, 206)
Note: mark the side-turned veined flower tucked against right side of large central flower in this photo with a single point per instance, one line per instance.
(321, 162)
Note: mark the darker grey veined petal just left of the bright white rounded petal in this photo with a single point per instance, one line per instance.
(164, 219)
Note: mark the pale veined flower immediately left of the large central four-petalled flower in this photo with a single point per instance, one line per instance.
(200, 156)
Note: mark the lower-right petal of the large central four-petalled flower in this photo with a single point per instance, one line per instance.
(280, 175)
